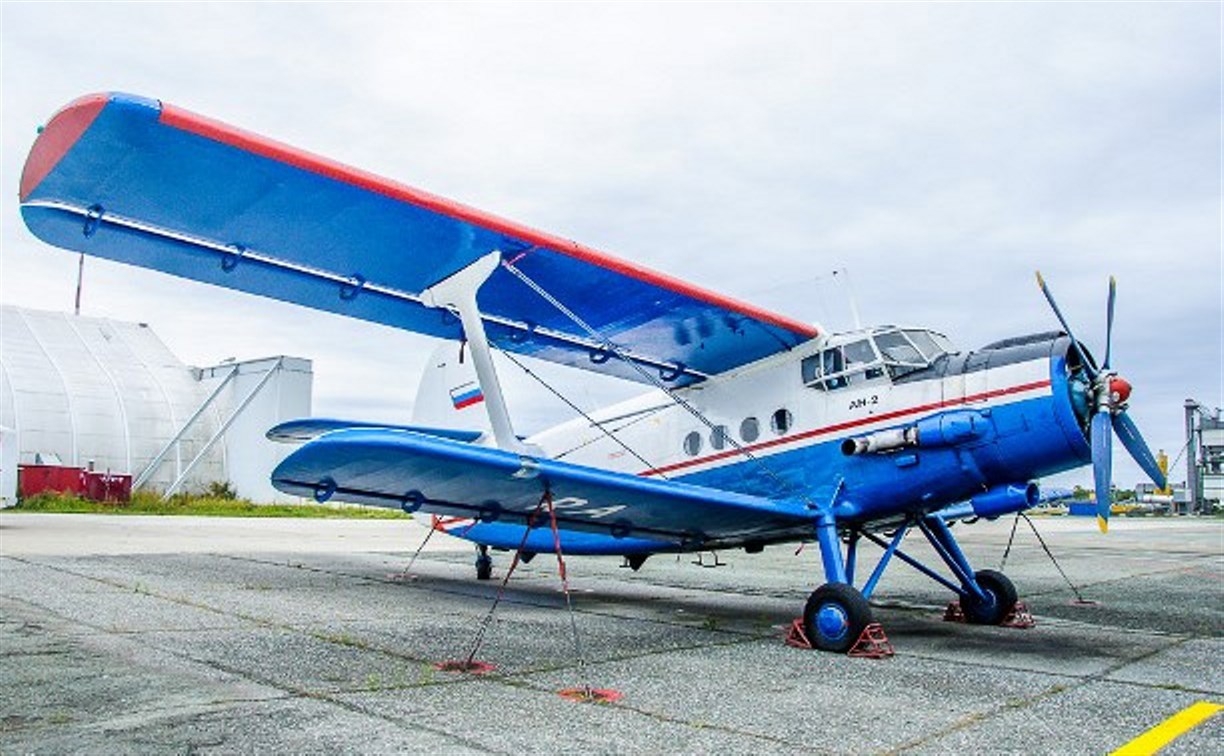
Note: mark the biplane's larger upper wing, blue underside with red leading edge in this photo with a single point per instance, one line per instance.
(149, 184)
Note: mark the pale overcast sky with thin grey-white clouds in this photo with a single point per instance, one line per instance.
(938, 152)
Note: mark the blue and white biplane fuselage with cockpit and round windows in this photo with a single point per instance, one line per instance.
(810, 425)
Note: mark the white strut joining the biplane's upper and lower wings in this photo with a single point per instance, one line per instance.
(458, 293)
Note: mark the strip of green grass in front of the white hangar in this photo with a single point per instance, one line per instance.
(220, 502)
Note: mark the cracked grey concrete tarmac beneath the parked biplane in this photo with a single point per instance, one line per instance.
(124, 634)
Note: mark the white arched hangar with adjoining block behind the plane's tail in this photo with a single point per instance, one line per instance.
(111, 397)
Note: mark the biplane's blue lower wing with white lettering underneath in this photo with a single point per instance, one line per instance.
(403, 469)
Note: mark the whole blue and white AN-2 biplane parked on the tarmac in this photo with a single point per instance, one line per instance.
(758, 429)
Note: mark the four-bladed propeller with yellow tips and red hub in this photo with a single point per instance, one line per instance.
(1108, 408)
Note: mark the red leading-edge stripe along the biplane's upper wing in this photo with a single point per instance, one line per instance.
(272, 150)
